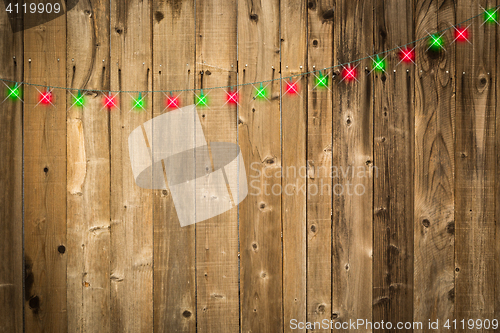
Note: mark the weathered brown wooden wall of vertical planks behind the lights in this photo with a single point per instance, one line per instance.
(85, 250)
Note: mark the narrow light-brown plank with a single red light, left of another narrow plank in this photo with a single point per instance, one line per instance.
(294, 124)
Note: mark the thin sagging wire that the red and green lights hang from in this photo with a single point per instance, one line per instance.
(256, 82)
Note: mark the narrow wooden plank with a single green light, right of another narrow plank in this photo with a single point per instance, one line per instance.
(319, 163)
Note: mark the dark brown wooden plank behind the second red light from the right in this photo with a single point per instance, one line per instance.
(393, 124)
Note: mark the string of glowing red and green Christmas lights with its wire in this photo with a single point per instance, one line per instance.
(349, 74)
